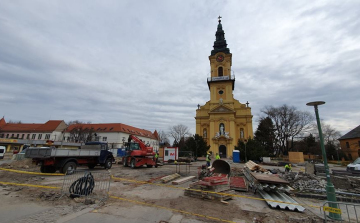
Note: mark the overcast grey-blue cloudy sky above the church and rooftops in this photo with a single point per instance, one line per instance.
(145, 63)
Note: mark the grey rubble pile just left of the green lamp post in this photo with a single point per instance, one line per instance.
(302, 181)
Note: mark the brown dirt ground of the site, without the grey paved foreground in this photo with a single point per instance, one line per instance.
(152, 194)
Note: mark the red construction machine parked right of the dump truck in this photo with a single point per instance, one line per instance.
(138, 154)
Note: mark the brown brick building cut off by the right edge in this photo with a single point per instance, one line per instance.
(350, 143)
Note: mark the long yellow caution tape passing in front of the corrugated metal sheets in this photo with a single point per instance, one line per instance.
(210, 192)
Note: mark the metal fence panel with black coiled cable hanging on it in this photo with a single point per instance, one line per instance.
(92, 184)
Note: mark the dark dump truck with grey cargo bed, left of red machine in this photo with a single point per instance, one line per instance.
(66, 160)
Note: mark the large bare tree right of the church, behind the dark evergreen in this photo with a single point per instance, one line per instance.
(288, 122)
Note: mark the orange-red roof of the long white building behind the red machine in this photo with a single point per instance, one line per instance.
(113, 127)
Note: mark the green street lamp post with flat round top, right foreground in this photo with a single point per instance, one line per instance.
(330, 190)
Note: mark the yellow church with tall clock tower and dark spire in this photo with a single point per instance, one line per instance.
(223, 120)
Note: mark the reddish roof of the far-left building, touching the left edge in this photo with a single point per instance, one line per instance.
(49, 126)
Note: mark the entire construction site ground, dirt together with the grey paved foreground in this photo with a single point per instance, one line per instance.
(133, 200)
